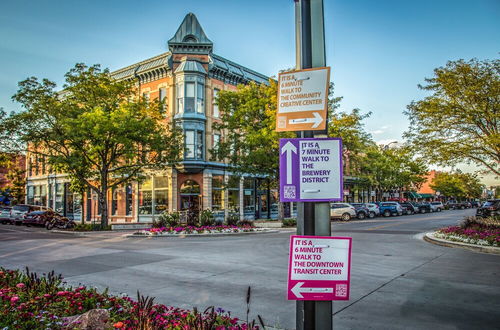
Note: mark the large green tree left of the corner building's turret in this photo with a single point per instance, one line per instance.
(96, 129)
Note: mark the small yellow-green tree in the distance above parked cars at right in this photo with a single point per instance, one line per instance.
(457, 185)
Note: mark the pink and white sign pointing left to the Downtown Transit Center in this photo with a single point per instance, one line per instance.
(319, 268)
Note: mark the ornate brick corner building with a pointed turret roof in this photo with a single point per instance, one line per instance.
(187, 78)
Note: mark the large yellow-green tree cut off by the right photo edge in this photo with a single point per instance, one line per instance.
(459, 121)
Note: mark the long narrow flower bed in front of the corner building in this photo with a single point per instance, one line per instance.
(186, 230)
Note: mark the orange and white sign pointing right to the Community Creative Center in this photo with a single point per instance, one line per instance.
(303, 100)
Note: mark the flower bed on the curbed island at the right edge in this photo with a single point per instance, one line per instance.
(473, 231)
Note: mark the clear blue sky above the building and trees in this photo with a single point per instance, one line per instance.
(378, 50)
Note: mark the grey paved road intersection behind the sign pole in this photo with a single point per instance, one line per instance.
(398, 280)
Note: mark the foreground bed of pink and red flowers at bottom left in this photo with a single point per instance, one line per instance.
(30, 302)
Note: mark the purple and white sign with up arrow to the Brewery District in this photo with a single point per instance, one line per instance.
(311, 170)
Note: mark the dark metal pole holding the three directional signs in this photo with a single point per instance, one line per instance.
(312, 218)
